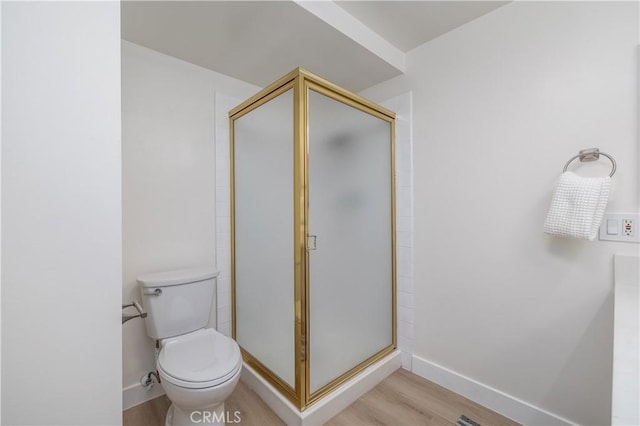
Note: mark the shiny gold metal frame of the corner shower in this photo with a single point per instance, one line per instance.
(302, 81)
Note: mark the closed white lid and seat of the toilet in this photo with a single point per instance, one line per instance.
(200, 359)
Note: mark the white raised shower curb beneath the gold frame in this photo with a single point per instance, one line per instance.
(320, 412)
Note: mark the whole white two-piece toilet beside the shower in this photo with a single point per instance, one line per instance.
(198, 367)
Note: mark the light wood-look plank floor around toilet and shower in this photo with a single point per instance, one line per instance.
(402, 399)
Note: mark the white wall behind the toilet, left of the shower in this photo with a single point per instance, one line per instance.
(169, 185)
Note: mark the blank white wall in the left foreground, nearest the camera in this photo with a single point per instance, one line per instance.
(61, 217)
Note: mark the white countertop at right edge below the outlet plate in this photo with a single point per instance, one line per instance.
(625, 402)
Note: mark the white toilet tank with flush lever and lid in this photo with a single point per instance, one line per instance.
(177, 302)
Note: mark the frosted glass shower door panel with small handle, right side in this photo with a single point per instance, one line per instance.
(350, 215)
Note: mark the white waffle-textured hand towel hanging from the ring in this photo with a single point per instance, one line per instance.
(577, 206)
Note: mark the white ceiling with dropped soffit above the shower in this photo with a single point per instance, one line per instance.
(354, 44)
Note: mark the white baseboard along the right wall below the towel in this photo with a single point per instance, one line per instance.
(498, 401)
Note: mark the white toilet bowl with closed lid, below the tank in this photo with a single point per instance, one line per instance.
(199, 370)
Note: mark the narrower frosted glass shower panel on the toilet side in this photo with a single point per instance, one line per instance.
(263, 224)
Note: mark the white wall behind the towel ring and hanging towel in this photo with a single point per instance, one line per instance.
(499, 105)
